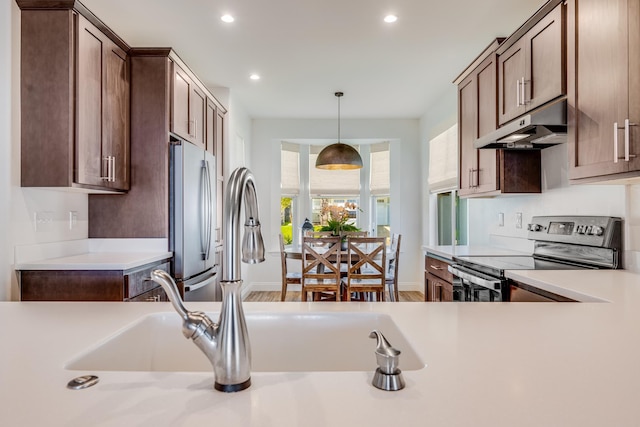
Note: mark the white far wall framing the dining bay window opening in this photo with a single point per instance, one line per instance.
(406, 185)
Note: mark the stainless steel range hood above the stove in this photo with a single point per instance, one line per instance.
(539, 129)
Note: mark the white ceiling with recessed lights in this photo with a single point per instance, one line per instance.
(305, 50)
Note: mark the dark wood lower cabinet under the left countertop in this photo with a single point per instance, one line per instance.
(92, 285)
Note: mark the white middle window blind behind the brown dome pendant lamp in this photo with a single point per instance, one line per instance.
(331, 182)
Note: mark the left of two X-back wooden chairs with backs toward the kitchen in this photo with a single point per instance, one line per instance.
(321, 266)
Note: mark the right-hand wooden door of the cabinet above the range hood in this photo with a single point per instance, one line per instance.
(546, 71)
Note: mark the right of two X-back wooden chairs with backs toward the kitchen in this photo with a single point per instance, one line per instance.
(366, 266)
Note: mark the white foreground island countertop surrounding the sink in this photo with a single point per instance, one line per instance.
(502, 364)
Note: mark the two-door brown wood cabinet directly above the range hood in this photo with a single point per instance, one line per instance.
(532, 67)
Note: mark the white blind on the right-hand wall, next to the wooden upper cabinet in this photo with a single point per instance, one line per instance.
(443, 161)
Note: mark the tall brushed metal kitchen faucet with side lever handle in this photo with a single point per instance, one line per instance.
(226, 343)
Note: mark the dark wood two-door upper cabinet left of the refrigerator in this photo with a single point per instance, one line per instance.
(74, 102)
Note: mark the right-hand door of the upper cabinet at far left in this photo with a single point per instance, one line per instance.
(115, 117)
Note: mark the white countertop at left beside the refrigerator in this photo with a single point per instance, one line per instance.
(96, 261)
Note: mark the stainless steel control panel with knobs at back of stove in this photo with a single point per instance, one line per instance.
(600, 231)
